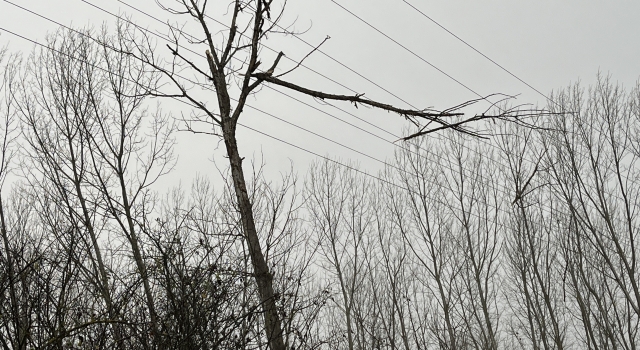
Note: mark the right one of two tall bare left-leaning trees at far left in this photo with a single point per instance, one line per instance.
(130, 151)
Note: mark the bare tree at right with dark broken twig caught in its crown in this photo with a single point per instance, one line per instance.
(535, 264)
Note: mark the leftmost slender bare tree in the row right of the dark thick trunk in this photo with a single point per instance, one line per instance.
(339, 205)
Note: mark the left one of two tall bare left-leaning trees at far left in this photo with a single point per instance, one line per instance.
(57, 115)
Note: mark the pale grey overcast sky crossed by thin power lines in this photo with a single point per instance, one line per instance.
(547, 44)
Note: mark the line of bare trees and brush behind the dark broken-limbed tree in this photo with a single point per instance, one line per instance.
(528, 241)
